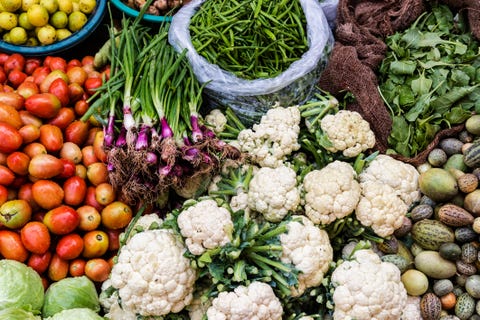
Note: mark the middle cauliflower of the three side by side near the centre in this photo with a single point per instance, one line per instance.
(331, 193)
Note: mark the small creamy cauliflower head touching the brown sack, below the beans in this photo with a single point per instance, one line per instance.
(348, 132)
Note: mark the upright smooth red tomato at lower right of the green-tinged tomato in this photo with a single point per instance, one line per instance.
(35, 237)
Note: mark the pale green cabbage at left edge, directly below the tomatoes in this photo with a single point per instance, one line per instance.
(20, 287)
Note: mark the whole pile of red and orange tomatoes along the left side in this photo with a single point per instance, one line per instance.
(58, 212)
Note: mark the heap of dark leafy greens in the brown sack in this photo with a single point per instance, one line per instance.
(429, 79)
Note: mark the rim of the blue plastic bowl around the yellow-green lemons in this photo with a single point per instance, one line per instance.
(94, 20)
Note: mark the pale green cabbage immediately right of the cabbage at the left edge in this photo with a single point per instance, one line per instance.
(70, 293)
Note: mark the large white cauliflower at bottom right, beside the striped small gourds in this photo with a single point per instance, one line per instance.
(368, 289)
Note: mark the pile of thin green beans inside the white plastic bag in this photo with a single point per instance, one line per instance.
(250, 38)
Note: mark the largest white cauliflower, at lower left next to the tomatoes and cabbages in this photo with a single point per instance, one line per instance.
(152, 275)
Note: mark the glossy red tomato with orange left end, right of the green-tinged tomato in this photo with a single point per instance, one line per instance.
(62, 220)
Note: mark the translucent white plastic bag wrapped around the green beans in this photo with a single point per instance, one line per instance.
(250, 99)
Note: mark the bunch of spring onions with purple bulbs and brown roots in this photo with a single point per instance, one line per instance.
(154, 134)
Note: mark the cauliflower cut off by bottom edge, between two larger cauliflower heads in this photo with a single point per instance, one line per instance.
(257, 301)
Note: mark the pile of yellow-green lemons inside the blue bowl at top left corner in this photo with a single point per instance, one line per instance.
(42, 22)
